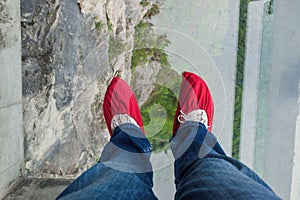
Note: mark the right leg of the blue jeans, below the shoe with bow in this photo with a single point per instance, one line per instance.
(203, 171)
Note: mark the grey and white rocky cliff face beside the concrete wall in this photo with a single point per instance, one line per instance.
(71, 50)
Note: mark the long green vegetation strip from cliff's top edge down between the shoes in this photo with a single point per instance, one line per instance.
(159, 109)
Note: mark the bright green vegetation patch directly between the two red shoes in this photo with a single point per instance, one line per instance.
(159, 121)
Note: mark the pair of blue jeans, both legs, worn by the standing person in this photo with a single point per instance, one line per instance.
(202, 170)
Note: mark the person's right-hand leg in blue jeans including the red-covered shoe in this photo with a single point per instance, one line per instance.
(202, 170)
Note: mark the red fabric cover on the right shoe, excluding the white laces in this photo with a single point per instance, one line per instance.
(194, 94)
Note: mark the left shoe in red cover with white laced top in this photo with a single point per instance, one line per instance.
(120, 106)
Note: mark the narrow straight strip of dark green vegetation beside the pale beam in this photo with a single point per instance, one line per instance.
(239, 78)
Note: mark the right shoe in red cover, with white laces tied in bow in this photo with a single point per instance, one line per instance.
(195, 102)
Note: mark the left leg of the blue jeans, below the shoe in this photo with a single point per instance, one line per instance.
(123, 172)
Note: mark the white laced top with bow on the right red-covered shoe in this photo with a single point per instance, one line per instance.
(195, 115)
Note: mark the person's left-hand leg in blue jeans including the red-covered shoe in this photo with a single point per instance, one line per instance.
(124, 170)
